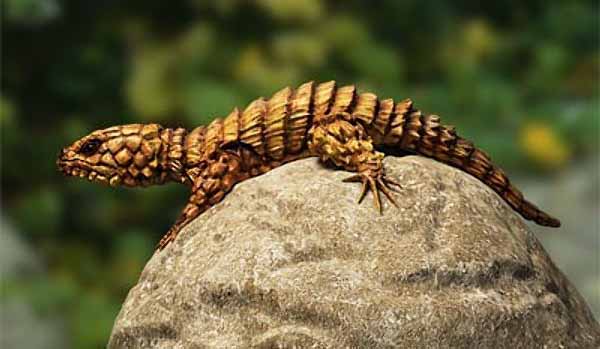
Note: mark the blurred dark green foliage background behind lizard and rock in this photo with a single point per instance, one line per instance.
(520, 78)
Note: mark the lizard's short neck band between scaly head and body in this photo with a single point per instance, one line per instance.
(172, 154)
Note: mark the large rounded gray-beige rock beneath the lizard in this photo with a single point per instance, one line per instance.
(289, 259)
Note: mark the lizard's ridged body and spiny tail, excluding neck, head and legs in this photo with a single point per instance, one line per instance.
(277, 130)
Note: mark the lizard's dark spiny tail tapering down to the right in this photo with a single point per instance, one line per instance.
(412, 131)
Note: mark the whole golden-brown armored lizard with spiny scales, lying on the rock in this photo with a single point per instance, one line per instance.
(334, 123)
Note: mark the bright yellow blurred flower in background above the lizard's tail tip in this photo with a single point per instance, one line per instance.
(543, 145)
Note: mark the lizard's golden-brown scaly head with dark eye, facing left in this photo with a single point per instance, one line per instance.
(127, 154)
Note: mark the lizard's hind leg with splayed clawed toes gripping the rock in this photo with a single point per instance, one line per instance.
(343, 141)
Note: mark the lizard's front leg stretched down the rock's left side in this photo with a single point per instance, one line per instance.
(210, 182)
